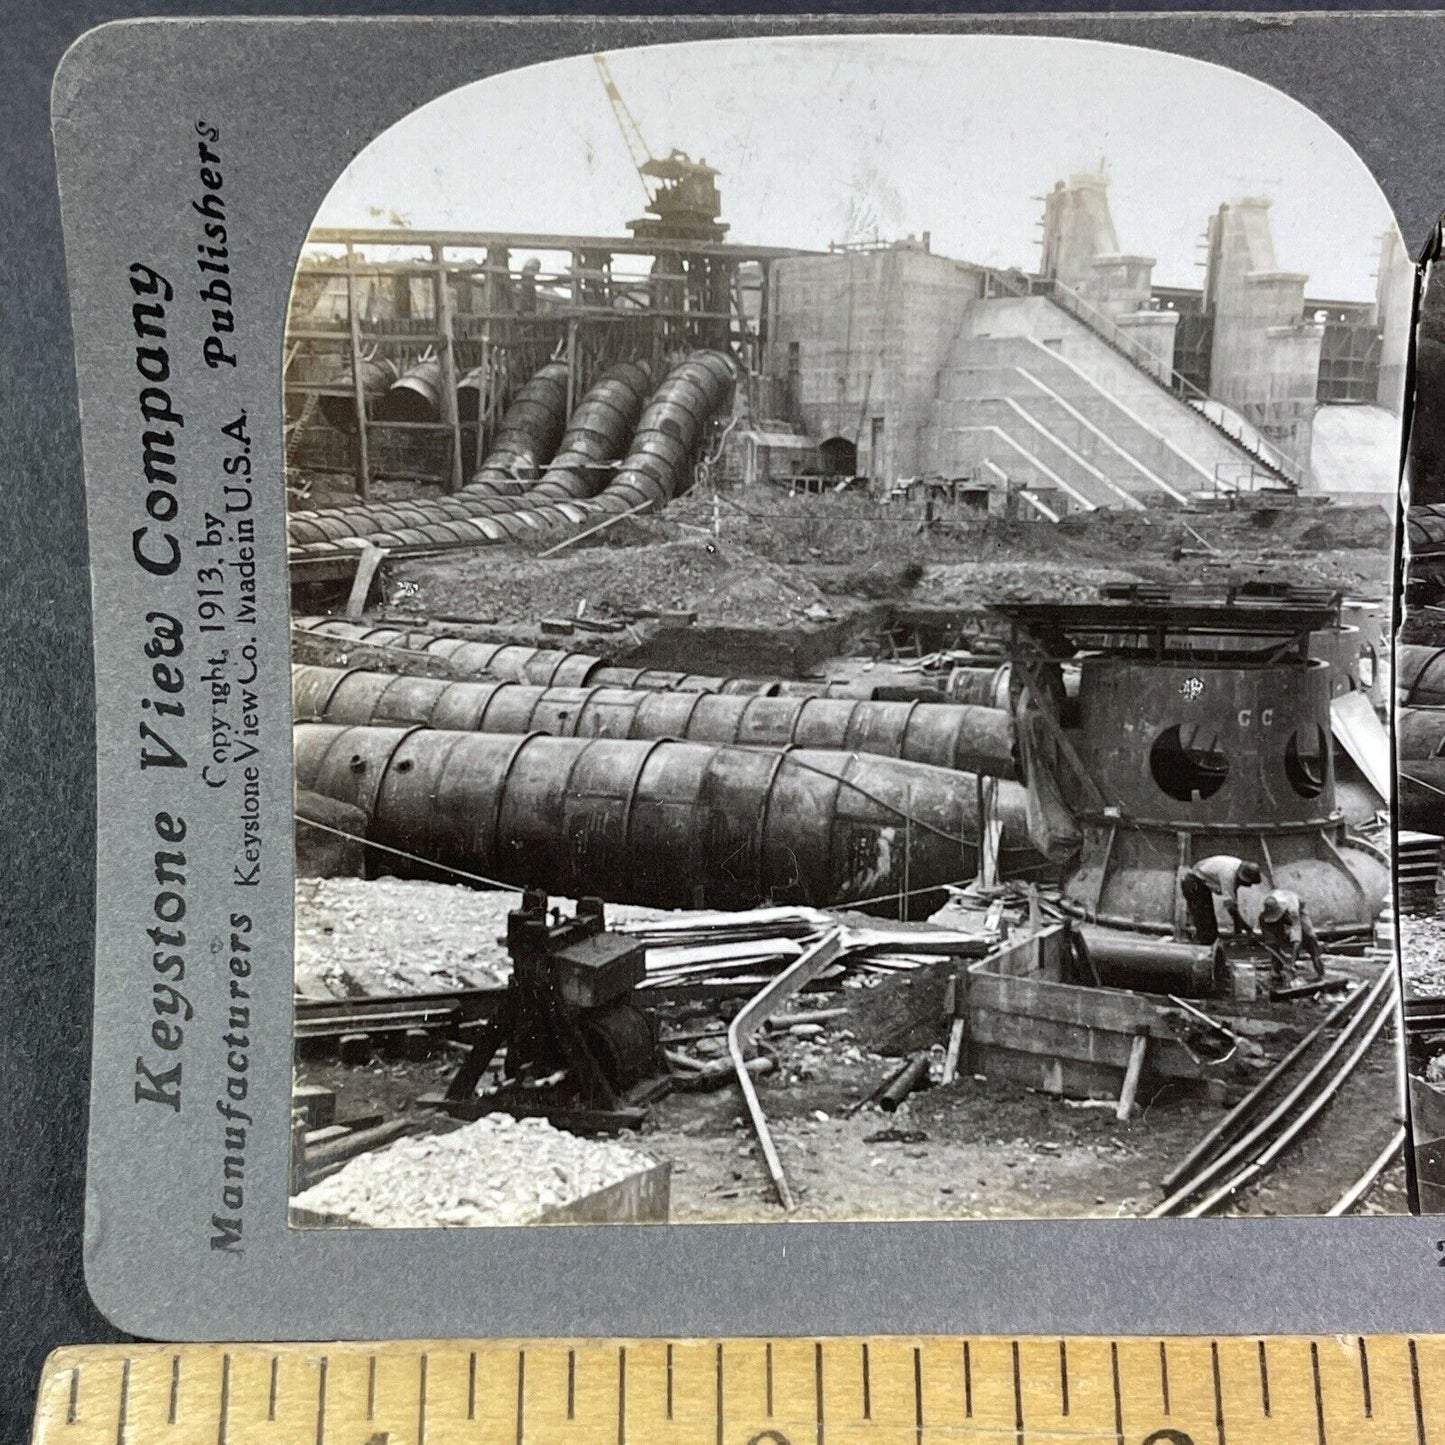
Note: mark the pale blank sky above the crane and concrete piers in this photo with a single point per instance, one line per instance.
(850, 138)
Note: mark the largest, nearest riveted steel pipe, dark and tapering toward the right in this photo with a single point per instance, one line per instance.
(663, 824)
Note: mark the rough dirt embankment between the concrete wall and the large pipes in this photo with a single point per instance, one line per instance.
(767, 560)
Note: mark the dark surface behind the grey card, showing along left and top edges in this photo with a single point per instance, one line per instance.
(47, 736)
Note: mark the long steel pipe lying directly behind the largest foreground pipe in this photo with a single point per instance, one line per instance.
(947, 736)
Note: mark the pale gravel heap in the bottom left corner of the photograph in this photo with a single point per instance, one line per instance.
(499, 1171)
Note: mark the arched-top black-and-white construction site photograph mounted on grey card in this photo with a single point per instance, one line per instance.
(842, 600)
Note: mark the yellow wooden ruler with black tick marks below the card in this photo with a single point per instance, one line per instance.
(895, 1391)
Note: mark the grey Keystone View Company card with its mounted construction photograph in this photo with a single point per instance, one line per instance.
(743, 673)
